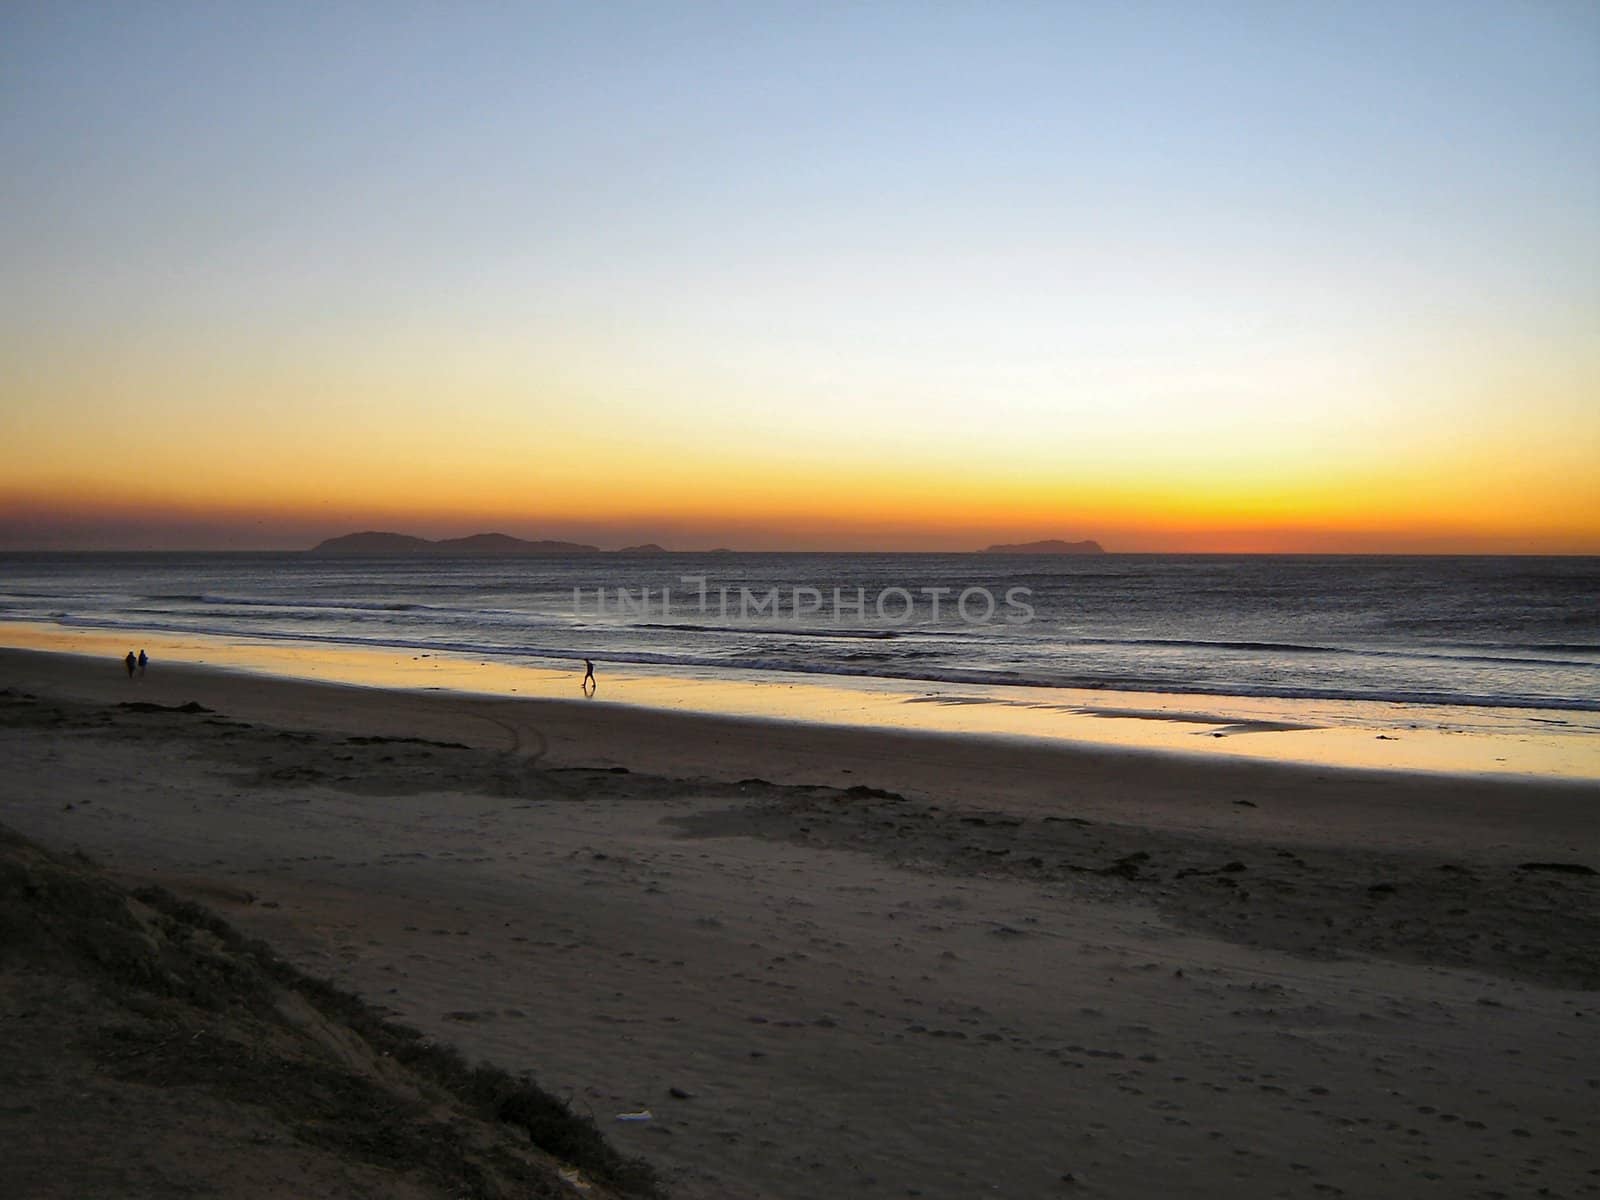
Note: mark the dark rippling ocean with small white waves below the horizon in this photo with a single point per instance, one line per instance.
(1508, 633)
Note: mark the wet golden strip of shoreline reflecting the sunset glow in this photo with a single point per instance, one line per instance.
(1414, 738)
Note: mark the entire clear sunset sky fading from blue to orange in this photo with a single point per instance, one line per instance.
(1175, 278)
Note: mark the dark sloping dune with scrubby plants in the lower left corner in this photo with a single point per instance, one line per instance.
(154, 1052)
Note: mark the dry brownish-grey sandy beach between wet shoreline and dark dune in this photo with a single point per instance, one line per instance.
(855, 962)
